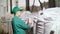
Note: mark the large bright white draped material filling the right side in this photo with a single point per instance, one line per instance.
(54, 24)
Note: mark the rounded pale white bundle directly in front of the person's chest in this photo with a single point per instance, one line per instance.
(27, 15)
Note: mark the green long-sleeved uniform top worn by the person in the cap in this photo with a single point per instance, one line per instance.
(19, 26)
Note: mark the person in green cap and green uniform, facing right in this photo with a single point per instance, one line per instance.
(18, 25)
